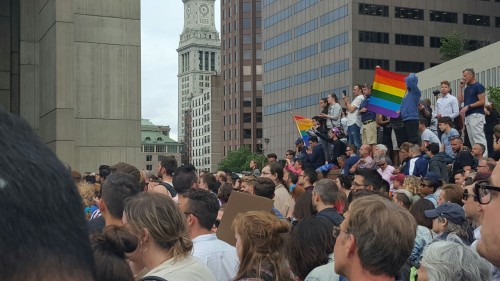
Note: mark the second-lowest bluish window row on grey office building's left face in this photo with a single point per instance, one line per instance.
(308, 51)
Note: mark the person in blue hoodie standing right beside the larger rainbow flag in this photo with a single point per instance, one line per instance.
(409, 109)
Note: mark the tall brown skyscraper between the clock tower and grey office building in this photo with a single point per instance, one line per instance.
(242, 74)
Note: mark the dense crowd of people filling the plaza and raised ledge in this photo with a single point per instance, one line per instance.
(368, 198)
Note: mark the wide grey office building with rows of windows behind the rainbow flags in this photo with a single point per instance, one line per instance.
(311, 48)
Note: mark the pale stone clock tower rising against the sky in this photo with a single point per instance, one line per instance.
(199, 57)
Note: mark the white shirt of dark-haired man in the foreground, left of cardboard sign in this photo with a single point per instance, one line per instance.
(220, 257)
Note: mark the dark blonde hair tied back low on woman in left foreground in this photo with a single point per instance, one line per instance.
(163, 219)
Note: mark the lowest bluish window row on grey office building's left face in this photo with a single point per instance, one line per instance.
(327, 70)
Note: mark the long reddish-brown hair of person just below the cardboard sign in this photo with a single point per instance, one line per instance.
(262, 238)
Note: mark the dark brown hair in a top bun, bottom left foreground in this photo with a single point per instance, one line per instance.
(109, 251)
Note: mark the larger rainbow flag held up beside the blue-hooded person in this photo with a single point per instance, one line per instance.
(388, 91)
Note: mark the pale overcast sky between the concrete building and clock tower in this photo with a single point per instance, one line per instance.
(161, 24)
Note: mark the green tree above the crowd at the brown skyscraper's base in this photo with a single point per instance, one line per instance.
(239, 160)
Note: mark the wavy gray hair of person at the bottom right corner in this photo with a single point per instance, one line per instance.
(452, 260)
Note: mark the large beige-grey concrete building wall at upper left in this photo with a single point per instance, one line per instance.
(80, 78)
